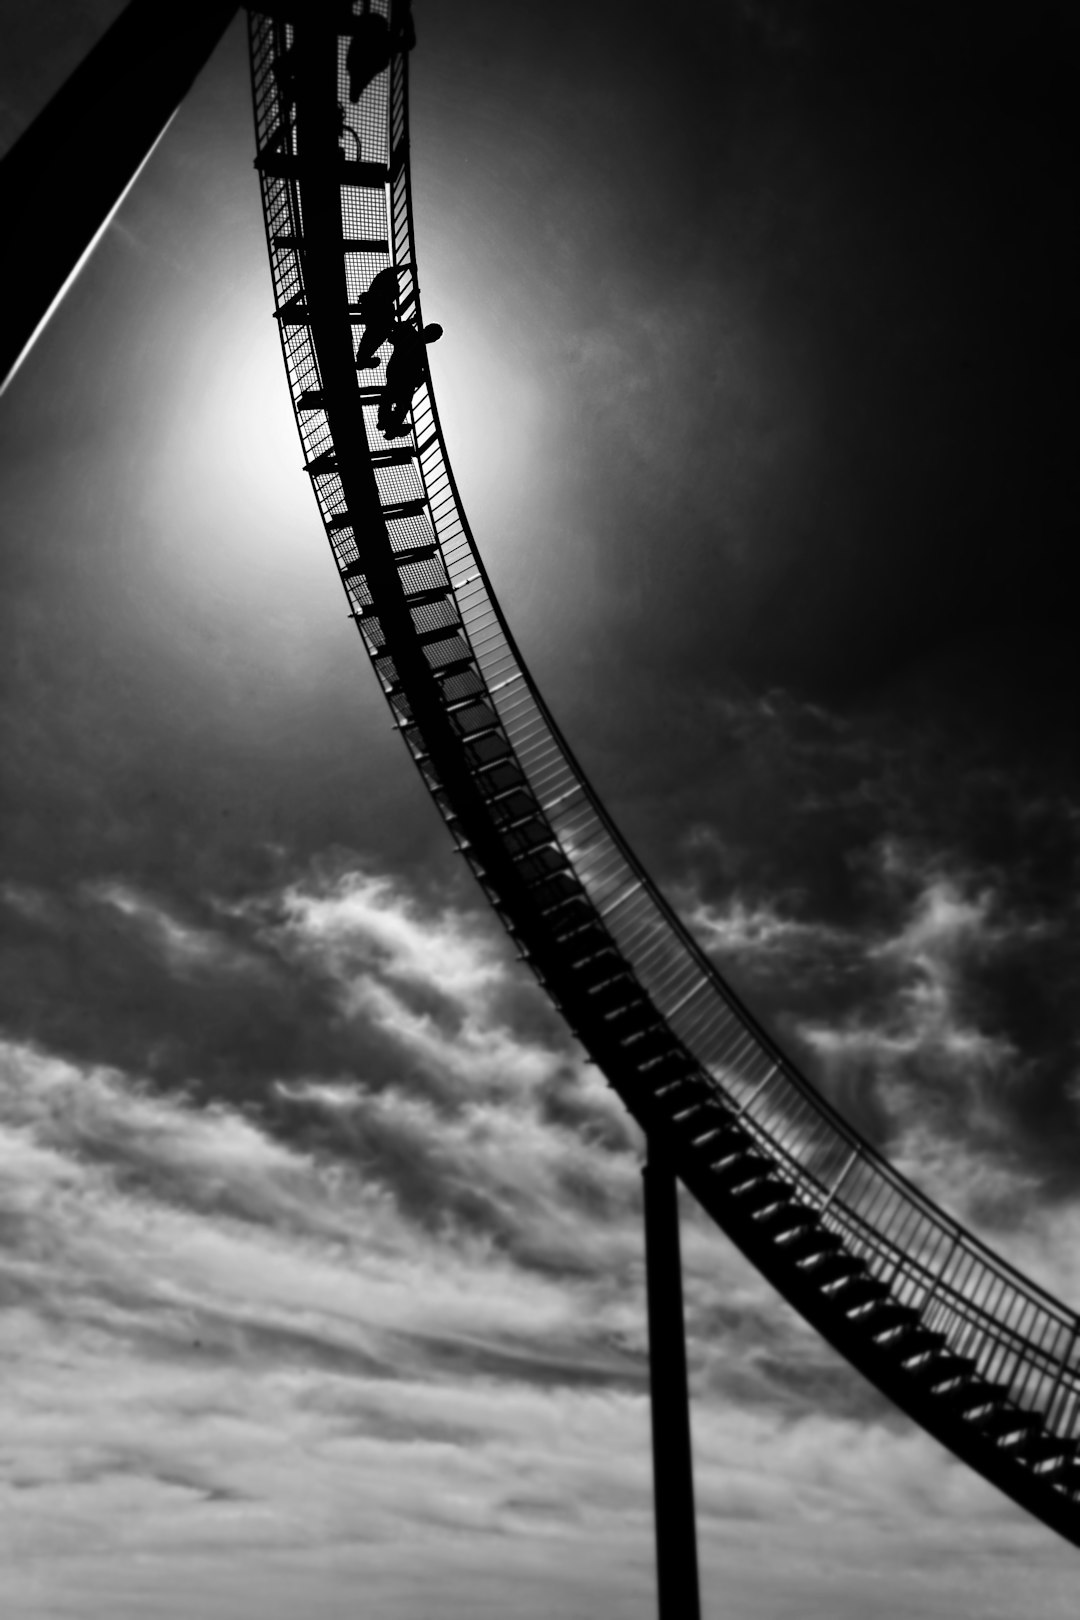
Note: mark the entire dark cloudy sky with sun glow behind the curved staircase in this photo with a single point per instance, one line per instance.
(321, 1260)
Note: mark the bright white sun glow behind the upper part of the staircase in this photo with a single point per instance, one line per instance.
(234, 531)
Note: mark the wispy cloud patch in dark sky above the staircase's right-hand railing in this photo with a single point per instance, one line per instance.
(906, 1017)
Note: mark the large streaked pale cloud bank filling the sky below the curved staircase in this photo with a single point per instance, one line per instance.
(368, 1311)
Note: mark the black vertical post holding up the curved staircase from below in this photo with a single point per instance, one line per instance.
(673, 1462)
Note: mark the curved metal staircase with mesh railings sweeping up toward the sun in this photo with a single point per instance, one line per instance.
(974, 1352)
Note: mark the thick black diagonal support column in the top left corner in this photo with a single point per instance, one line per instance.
(69, 171)
